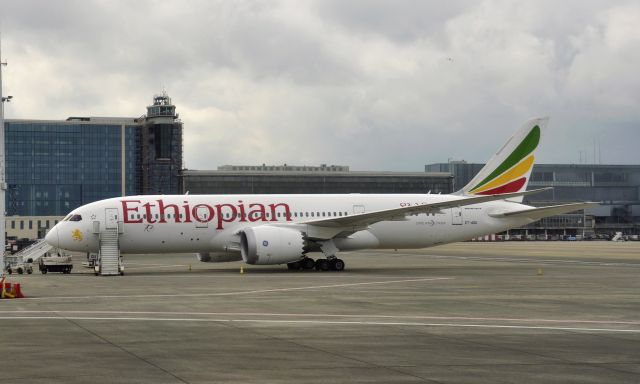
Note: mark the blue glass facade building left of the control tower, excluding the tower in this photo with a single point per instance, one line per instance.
(53, 167)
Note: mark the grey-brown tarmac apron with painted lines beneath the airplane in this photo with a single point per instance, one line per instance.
(526, 312)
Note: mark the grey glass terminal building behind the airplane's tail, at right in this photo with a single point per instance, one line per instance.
(617, 187)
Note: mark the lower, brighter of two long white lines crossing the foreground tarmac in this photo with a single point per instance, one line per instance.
(325, 322)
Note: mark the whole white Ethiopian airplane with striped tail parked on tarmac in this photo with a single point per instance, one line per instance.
(288, 229)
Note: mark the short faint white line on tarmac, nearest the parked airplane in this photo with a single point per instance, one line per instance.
(238, 293)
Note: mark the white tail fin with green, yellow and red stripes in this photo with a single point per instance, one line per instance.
(510, 168)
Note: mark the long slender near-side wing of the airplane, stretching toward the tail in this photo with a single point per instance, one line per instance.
(400, 214)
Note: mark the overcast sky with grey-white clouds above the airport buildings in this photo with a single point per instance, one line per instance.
(376, 85)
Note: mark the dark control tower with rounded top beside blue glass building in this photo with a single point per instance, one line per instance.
(161, 142)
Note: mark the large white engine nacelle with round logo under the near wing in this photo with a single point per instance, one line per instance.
(266, 244)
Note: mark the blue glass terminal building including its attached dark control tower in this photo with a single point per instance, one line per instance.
(54, 166)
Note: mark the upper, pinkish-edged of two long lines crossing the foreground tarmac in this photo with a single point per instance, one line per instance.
(316, 315)
